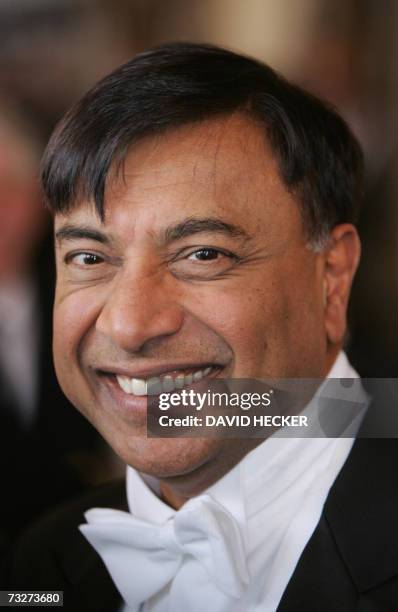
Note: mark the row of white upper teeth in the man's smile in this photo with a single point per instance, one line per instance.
(157, 385)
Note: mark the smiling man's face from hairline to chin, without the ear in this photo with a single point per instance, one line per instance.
(201, 265)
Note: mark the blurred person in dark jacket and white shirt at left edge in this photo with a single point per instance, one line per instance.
(39, 433)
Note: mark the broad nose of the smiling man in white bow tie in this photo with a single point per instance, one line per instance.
(139, 309)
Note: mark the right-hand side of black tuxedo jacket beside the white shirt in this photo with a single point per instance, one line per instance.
(354, 547)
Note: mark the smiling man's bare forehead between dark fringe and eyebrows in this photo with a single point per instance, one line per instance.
(224, 168)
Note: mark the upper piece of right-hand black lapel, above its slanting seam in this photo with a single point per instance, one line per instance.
(362, 512)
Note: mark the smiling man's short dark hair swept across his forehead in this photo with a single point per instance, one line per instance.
(180, 83)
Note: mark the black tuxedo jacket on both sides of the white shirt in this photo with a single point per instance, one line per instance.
(350, 563)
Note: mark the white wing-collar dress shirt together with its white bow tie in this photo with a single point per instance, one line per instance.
(233, 548)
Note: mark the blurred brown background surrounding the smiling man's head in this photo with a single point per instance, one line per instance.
(51, 51)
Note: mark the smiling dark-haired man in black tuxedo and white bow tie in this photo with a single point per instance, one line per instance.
(205, 217)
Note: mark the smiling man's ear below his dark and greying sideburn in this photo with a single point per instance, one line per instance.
(341, 259)
